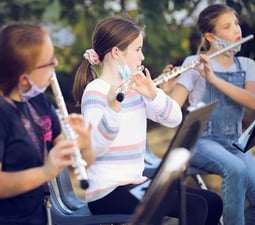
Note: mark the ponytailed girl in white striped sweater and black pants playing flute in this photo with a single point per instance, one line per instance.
(119, 127)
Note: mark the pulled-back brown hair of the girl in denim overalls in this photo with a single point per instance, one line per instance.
(207, 20)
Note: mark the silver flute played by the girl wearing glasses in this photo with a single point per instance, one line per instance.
(79, 164)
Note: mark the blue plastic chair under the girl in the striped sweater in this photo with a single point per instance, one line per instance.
(68, 209)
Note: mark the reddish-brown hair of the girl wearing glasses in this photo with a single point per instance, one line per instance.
(20, 46)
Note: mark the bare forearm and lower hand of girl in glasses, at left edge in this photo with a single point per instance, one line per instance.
(19, 182)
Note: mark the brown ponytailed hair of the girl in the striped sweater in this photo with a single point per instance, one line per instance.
(111, 32)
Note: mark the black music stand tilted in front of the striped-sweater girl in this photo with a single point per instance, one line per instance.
(153, 206)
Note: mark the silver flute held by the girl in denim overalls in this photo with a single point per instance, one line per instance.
(178, 70)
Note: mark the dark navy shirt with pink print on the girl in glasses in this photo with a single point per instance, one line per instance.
(18, 152)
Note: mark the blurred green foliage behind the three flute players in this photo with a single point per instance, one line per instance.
(169, 39)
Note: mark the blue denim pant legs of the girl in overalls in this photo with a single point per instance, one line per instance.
(238, 172)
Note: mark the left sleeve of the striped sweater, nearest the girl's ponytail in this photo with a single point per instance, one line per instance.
(95, 110)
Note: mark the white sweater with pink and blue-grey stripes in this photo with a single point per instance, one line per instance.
(119, 138)
